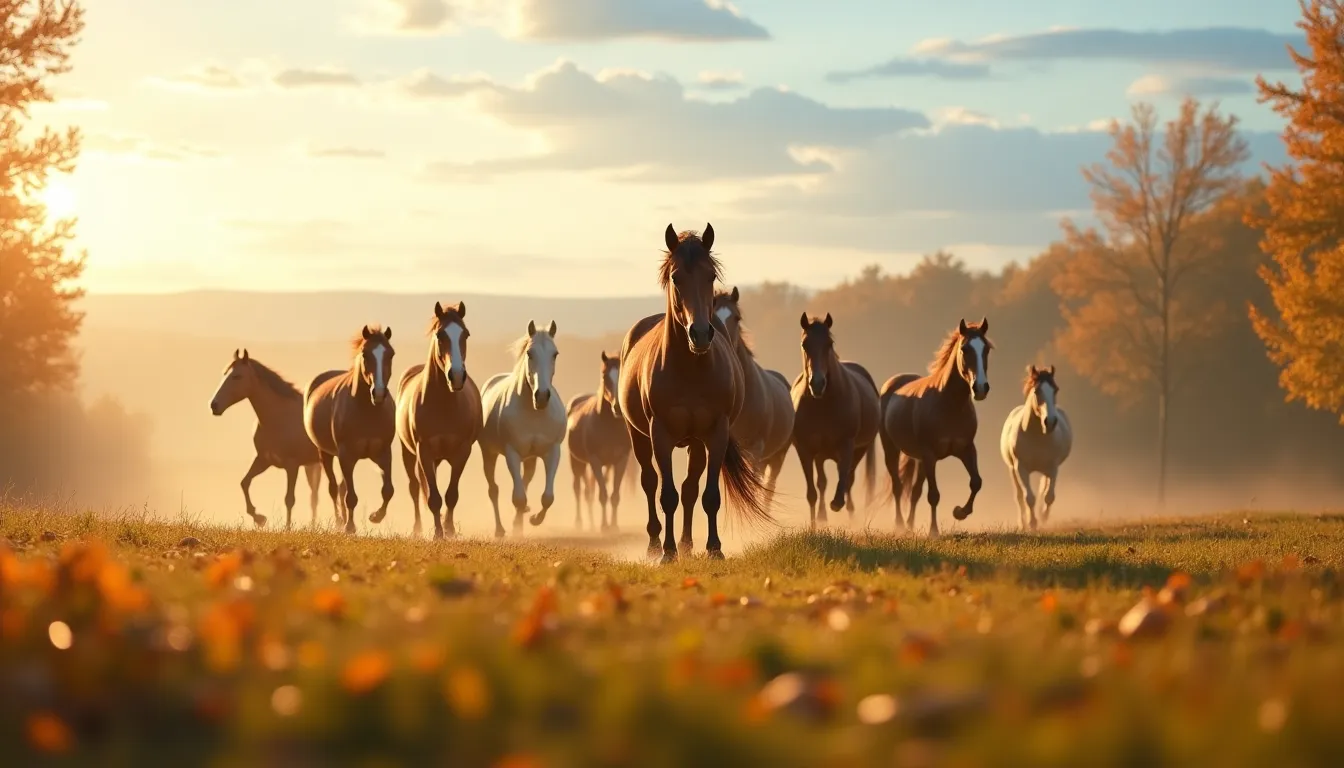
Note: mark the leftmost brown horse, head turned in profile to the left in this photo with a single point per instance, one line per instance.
(280, 439)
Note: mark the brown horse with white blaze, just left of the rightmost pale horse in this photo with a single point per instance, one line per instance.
(928, 419)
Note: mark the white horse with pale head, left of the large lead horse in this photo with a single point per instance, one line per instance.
(525, 420)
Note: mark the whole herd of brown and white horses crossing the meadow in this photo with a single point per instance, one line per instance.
(685, 379)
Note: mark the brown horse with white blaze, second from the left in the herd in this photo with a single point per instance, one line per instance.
(349, 418)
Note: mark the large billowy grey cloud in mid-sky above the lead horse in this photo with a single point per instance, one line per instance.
(646, 127)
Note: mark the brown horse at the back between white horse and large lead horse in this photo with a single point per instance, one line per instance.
(597, 439)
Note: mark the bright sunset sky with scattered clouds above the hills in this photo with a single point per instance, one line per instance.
(542, 147)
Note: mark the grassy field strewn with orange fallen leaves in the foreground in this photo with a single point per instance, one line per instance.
(126, 642)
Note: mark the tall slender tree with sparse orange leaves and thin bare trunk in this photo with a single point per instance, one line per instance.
(1130, 289)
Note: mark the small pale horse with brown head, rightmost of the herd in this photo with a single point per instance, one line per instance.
(1037, 439)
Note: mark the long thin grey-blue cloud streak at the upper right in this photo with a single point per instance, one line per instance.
(1226, 49)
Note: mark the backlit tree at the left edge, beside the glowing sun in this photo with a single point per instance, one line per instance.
(38, 321)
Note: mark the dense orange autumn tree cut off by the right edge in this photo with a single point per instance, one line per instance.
(1304, 224)
